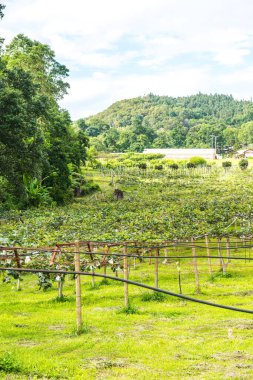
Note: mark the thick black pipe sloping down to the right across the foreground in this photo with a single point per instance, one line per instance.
(133, 283)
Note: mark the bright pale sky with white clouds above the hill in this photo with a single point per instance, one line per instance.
(118, 49)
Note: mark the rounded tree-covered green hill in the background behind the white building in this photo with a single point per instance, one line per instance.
(162, 121)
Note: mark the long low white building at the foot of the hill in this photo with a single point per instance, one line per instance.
(184, 154)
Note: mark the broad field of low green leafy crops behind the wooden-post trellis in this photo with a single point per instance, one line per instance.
(156, 206)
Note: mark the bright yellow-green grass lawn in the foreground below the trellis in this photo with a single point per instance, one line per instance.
(166, 338)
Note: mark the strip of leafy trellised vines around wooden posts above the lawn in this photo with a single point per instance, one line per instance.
(114, 257)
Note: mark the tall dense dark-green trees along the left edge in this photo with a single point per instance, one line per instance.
(40, 151)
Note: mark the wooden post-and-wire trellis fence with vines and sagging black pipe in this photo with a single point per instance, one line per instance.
(86, 258)
